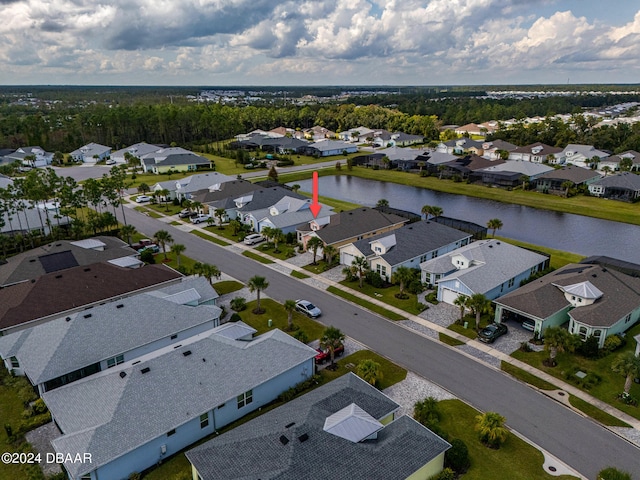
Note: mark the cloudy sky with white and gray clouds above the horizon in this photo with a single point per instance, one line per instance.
(319, 42)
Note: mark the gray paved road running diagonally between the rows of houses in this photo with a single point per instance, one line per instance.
(575, 440)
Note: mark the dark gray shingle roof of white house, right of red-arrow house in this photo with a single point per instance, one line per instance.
(414, 240)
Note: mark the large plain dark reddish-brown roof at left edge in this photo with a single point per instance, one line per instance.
(73, 288)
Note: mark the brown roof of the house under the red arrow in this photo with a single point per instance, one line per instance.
(356, 222)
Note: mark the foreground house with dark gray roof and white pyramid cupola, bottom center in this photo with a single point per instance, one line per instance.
(346, 420)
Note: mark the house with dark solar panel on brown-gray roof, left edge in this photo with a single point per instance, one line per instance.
(62, 254)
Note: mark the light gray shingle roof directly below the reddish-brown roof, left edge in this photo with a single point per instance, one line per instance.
(59, 347)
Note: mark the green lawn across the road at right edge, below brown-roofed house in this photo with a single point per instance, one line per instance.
(609, 386)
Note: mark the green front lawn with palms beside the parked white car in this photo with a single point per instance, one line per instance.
(278, 316)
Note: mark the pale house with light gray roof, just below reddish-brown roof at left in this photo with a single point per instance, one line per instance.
(69, 348)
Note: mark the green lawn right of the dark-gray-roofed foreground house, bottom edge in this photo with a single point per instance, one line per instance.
(515, 460)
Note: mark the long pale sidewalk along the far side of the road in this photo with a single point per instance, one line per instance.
(431, 331)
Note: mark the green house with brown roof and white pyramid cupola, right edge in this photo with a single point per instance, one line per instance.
(594, 300)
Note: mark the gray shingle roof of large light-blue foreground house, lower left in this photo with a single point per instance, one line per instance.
(139, 407)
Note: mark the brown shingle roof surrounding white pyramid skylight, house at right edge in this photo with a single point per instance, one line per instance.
(543, 297)
